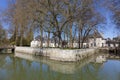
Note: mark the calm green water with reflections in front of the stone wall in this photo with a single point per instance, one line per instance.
(36, 68)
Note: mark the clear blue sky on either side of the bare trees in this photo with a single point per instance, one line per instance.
(108, 30)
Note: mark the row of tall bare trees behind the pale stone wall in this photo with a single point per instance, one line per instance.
(61, 19)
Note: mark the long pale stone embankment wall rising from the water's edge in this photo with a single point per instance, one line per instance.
(57, 54)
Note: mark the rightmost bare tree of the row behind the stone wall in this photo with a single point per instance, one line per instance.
(88, 20)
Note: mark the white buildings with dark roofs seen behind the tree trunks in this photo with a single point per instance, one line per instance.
(93, 40)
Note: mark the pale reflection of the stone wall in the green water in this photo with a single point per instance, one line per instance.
(62, 67)
